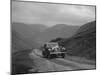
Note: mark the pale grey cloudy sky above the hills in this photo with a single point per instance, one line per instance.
(51, 14)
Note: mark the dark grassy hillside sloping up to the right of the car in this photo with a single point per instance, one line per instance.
(83, 43)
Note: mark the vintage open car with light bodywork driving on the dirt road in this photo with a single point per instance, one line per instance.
(52, 49)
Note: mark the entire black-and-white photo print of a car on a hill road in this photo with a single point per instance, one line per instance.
(52, 37)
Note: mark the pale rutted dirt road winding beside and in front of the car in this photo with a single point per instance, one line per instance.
(57, 64)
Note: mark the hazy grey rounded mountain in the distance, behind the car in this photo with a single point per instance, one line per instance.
(60, 30)
